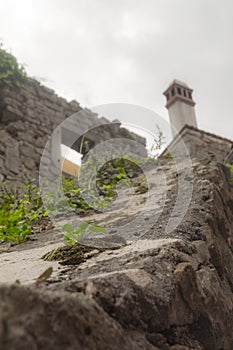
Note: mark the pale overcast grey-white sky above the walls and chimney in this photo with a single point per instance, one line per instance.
(104, 51)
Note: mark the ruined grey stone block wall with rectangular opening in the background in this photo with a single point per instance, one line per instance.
(28, 117)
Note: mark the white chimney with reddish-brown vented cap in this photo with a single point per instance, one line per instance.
(180, 106)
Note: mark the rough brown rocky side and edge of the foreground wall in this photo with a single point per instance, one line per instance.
(163, 291)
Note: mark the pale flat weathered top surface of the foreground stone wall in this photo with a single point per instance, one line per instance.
(24, 263)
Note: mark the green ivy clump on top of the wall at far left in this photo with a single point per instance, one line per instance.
(11, 72)
